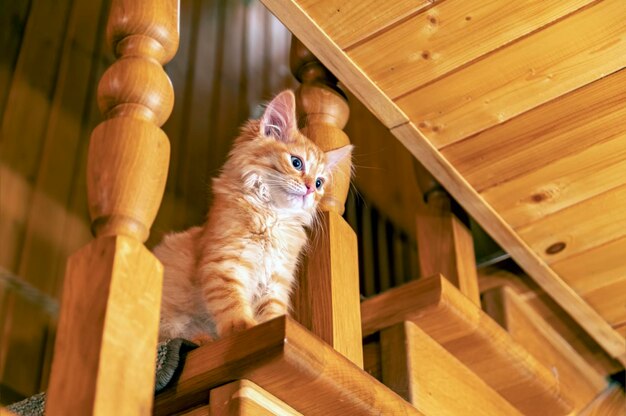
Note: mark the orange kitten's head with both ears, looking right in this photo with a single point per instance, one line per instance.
(288, 169)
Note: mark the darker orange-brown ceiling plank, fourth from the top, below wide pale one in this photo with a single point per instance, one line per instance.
(538, 138)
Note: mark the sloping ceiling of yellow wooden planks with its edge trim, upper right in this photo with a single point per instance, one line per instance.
(518, 108)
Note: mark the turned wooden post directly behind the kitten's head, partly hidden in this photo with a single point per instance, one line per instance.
(327, 298)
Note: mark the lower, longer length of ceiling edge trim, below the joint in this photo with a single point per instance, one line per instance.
(505, 236)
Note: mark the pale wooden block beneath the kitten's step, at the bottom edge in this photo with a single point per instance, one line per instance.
(244, 398)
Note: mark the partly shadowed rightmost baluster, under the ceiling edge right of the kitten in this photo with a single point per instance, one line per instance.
(444, 243)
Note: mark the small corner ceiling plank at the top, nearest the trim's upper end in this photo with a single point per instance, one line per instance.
(350, 21)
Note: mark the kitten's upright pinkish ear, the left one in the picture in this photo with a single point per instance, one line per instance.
(279, 119)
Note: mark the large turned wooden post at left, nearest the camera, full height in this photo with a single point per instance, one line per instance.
(104, 360)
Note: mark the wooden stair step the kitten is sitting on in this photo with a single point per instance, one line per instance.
(286, 360)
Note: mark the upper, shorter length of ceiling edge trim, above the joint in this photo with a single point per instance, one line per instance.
(336, 60)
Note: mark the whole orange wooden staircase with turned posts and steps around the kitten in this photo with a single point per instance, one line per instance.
(430, 347)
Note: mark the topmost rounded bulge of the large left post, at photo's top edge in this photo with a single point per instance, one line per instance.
(151, 25)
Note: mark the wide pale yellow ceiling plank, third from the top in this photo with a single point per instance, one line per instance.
(541, 67)
